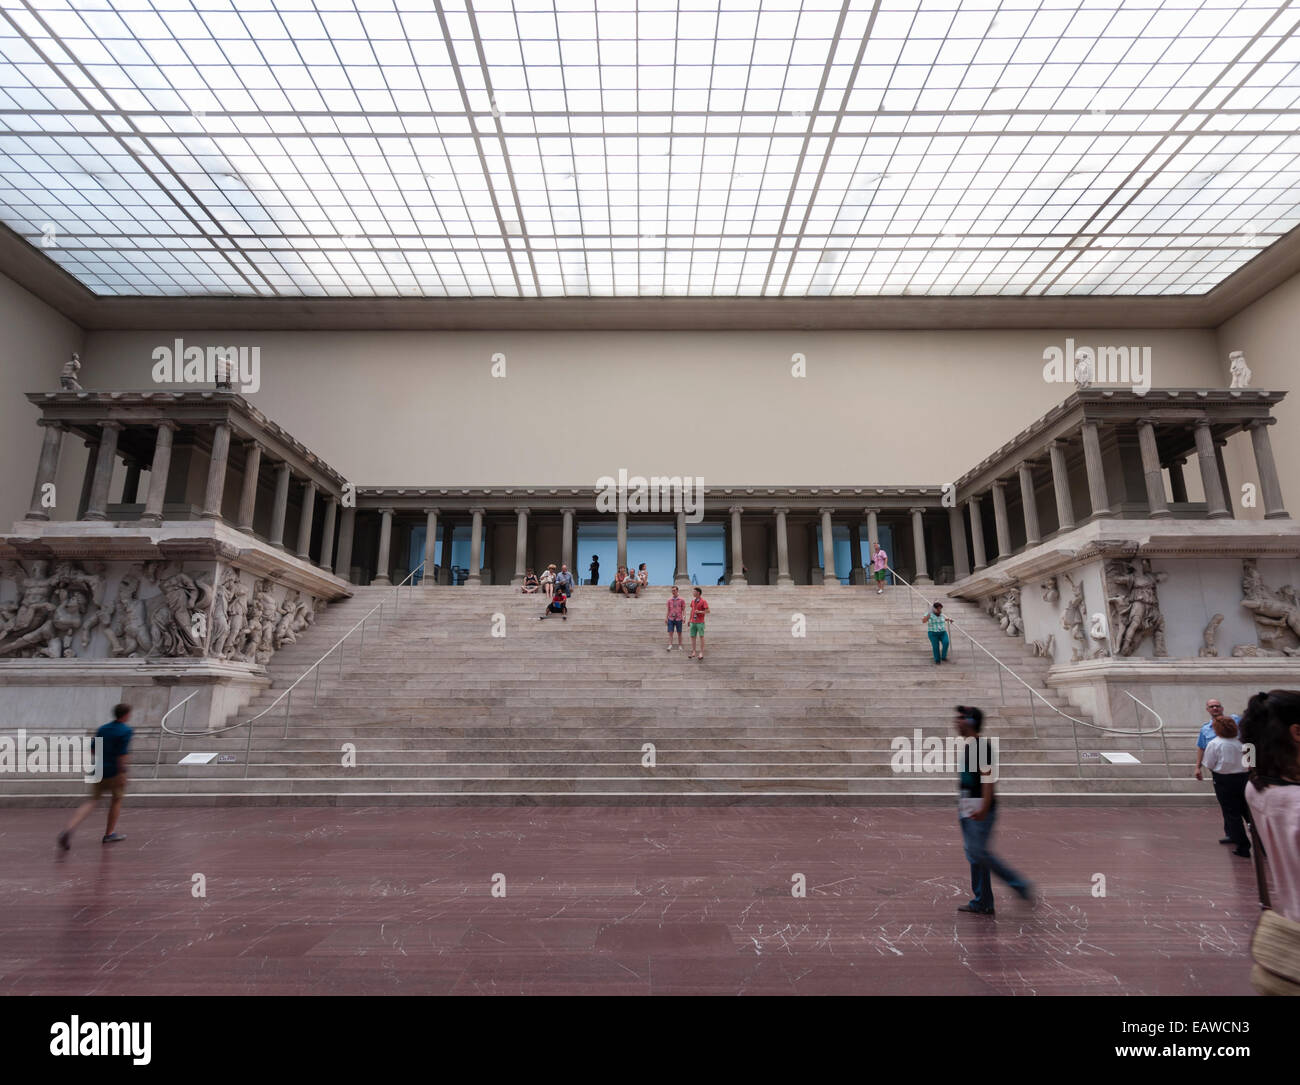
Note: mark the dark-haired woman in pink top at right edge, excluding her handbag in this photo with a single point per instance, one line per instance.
(1272, 727)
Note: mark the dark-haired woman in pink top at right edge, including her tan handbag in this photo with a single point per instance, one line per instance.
(1271, 730)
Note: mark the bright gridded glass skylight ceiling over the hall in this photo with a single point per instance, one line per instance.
(649, 147)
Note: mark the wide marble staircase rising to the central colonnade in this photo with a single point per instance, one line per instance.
(440, 710)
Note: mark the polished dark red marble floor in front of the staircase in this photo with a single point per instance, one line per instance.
(618, 901)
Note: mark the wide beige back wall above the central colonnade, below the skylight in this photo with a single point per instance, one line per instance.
(415, 409)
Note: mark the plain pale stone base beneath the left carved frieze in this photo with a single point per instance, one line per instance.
(80, 695)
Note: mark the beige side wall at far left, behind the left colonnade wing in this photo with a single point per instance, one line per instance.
(34, 345)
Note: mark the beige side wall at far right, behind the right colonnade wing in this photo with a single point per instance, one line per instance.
(1269, 335)
